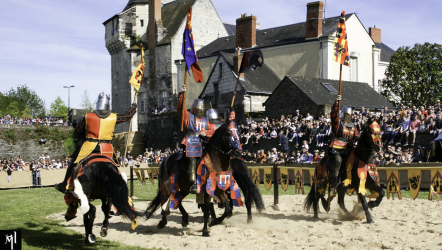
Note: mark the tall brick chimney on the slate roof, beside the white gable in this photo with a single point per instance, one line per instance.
(313, 24)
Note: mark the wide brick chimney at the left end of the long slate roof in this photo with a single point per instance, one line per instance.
(246, 31)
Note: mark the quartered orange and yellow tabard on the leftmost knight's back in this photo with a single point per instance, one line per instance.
(99, 129)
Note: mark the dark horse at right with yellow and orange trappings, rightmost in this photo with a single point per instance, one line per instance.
(353, 173)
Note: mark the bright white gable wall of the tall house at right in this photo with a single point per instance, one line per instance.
(359, 44)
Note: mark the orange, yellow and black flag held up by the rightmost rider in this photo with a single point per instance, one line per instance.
(341, 45)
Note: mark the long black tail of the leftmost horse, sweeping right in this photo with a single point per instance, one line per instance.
(116, 188)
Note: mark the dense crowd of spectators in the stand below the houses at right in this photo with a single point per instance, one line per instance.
(400, 128)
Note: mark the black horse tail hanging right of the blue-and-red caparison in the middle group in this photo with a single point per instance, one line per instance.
(251, 192)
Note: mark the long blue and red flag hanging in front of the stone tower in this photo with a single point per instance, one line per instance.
(188, 50)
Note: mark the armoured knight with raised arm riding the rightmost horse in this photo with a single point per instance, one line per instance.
(344, 131)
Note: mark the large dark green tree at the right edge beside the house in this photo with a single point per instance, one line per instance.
(414, 76)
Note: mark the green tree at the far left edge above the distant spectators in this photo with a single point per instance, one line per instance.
(22, 102)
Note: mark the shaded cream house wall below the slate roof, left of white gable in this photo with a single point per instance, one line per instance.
(295, 59)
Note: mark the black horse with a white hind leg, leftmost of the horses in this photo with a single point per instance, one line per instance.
(99, 178)
